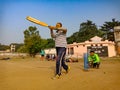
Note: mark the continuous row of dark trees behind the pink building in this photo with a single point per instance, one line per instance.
(89, 29)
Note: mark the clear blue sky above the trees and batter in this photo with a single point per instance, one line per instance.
(71, 13)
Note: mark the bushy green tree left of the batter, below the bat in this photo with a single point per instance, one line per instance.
(33, 41)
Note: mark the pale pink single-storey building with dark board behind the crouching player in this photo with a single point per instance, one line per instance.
(103, 48)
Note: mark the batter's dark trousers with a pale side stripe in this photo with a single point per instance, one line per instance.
(60, 60)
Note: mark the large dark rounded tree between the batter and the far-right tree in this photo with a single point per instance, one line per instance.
(87, 30)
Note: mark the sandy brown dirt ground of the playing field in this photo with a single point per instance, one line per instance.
(33, 74)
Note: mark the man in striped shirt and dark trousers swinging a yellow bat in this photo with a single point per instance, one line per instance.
(60, 44)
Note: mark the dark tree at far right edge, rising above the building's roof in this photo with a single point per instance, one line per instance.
(108, 28)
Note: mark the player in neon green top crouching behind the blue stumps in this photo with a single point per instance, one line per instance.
(93, 57)
